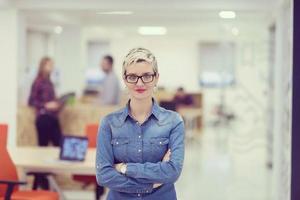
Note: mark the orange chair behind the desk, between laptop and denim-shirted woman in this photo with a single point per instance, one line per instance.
(91, 131)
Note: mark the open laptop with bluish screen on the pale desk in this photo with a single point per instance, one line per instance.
(73, 148)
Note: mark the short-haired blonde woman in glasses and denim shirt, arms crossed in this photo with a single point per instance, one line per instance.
(140, 148)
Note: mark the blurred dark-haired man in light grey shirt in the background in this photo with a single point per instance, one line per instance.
(110, 90)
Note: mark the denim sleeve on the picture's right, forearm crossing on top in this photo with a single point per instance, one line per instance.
(162, 172)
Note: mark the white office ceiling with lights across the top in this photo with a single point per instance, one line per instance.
(187, 14)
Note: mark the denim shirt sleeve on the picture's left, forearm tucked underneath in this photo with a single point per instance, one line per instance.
(106, 174)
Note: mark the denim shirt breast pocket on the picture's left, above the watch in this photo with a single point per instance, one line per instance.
(120, 149)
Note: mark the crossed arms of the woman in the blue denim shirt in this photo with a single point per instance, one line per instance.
(138, 177)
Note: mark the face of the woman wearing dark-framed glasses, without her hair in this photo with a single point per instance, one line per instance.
(140, 90)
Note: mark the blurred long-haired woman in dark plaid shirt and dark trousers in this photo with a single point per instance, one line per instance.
(42, 98)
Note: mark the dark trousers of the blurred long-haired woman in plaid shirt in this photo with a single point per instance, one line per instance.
(48, 130)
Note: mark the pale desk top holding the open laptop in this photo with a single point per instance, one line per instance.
(46, 159)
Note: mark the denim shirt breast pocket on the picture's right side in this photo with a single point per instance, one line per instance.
(159, 147)
